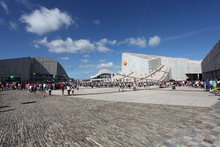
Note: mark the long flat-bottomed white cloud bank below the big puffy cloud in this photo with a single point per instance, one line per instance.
(75, 46)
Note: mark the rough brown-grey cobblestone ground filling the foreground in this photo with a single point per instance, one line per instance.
(29, 119)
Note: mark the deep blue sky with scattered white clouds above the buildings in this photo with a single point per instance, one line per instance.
(88, 35)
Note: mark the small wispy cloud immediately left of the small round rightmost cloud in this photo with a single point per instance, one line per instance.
(139, 42)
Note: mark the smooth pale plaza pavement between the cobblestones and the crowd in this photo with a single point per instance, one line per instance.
(184, 96)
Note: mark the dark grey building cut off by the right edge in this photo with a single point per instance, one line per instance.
(211, 63)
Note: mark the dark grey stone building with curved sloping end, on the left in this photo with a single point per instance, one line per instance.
(32, 69)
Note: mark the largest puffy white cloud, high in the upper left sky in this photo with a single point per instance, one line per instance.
(45, 20)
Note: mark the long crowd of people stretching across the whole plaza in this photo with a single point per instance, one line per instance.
(209, 85)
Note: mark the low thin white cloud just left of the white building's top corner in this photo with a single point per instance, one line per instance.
(108, 65)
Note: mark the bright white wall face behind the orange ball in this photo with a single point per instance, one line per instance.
(135, 64)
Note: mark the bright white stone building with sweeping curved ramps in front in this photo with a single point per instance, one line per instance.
(158, 68)
